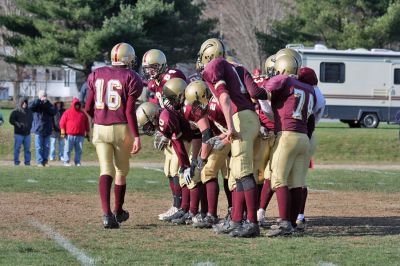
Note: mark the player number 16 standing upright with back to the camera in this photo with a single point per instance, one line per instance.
(111, 103)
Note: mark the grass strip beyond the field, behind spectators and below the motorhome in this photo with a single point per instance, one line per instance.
(336, 144)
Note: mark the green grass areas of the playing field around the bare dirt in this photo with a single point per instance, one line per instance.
(150, 242)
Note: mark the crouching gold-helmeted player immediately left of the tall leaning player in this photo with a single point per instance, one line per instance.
(208, 117)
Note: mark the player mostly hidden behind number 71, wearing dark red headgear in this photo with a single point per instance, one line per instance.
(307, 75)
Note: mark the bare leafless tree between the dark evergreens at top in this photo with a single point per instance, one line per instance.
(239, 20)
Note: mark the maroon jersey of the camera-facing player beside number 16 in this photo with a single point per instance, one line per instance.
(156, 86)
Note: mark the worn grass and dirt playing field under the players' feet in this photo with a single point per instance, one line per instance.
(342, 229)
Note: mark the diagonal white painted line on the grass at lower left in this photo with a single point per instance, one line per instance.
(63, 242)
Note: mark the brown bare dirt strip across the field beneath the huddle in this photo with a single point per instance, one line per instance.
(328, 214)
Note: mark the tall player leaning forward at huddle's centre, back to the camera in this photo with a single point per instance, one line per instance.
(242, 129)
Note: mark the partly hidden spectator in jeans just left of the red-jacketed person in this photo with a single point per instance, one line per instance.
(55, 134)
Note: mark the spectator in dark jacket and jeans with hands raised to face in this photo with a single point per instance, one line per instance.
(43, 112)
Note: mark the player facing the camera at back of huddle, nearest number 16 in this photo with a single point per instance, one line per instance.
(156, 70)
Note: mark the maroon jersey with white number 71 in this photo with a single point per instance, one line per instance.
(292, 103)
